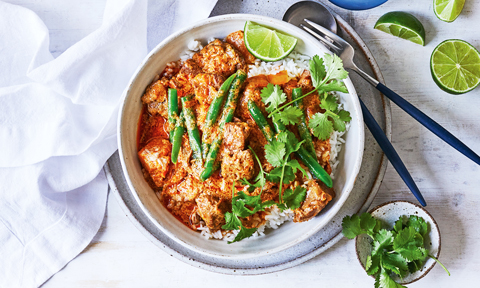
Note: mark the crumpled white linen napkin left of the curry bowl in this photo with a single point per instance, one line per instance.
(58, 127)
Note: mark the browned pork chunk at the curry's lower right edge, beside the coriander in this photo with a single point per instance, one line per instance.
(318, 196)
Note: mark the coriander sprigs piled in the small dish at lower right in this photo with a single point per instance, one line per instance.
(398, 251)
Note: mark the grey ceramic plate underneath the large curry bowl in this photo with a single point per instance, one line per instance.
(366, 186)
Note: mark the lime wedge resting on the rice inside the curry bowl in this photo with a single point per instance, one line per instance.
(267, 44)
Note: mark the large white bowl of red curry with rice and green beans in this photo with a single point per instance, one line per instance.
(177, 195)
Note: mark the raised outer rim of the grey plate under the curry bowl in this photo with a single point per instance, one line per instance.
(113, 173)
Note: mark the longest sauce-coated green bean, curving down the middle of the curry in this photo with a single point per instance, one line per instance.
(212, 114)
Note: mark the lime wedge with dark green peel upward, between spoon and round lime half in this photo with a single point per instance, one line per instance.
(403, 25)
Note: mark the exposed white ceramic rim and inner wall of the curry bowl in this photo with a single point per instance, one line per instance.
(288, 234)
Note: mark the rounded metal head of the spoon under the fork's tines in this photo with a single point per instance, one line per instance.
(313, 11)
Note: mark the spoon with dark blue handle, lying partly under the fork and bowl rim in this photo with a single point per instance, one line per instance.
(296, 15)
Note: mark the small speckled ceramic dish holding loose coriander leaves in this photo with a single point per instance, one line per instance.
(388, 213)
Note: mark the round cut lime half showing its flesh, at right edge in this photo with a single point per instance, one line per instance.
(455, 66)
